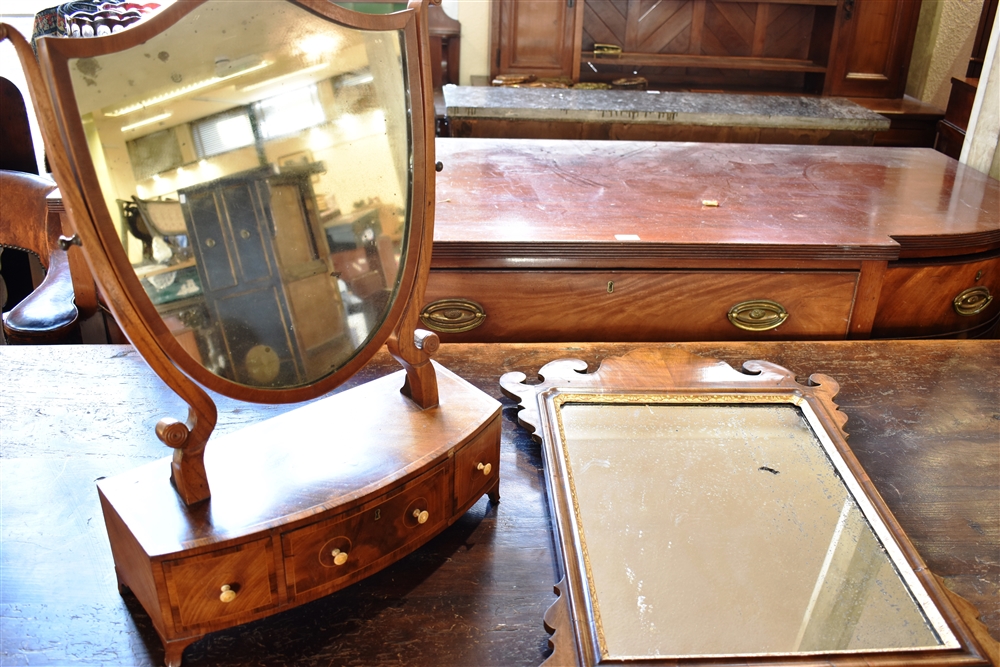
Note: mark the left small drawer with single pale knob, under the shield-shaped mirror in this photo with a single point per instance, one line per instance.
(219, 585)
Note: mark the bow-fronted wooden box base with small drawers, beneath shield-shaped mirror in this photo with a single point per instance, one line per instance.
(339, 506)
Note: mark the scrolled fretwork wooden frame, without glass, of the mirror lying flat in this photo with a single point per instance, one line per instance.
(672, 376)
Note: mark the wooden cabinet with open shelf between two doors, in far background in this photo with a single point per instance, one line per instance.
(826, 47)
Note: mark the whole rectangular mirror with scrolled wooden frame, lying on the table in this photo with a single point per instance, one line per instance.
(705, 516)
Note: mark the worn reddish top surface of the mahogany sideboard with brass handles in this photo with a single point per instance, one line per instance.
(523, 202)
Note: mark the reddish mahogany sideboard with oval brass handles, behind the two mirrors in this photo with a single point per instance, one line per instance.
(545, 240)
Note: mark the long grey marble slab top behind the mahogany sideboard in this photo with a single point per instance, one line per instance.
(664, 108)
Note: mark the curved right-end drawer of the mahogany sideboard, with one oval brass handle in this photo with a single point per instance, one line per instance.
(933, 299)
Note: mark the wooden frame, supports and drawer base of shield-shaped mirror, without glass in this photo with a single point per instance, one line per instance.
(309, 502)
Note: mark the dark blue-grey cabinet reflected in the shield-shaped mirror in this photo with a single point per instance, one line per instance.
(258, 246)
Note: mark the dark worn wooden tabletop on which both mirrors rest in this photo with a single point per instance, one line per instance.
(923, 419)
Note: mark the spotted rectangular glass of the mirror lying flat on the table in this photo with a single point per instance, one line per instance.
(731, 529)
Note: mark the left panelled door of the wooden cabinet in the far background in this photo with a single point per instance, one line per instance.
(534, 37)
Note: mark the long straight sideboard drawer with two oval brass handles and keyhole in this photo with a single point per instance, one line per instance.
(633, 306)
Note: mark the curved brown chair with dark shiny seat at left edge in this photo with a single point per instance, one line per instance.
(49, 314)
